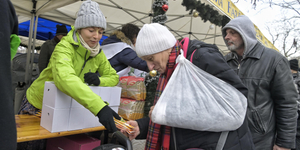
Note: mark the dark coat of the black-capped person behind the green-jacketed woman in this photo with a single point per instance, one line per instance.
(45, 54)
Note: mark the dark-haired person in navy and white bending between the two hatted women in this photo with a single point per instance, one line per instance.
(119, 50)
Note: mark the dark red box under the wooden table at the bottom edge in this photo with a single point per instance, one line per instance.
(73, 142)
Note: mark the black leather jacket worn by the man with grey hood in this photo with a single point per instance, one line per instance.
(272, 96)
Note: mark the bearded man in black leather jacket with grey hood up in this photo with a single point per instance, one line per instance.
(272, 111)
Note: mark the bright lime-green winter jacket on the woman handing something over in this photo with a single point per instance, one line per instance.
(68, 64)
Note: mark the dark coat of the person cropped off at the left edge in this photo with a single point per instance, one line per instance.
(8, 26)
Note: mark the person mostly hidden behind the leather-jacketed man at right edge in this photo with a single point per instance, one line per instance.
(294, 65)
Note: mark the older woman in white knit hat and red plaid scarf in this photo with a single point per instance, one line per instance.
(159, 48)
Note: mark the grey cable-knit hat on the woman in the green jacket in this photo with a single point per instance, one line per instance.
(90, 15)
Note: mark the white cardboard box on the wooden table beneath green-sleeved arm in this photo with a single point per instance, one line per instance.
(62, 113)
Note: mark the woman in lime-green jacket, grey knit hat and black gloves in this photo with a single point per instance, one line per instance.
(77, 60)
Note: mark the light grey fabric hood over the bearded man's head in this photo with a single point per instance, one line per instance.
(244, 26)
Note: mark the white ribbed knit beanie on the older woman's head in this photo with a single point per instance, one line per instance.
(153, 38)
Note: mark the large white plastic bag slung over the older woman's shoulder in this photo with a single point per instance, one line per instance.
(195, 99)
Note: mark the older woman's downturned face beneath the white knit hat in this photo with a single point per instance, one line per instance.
(158, 61)
